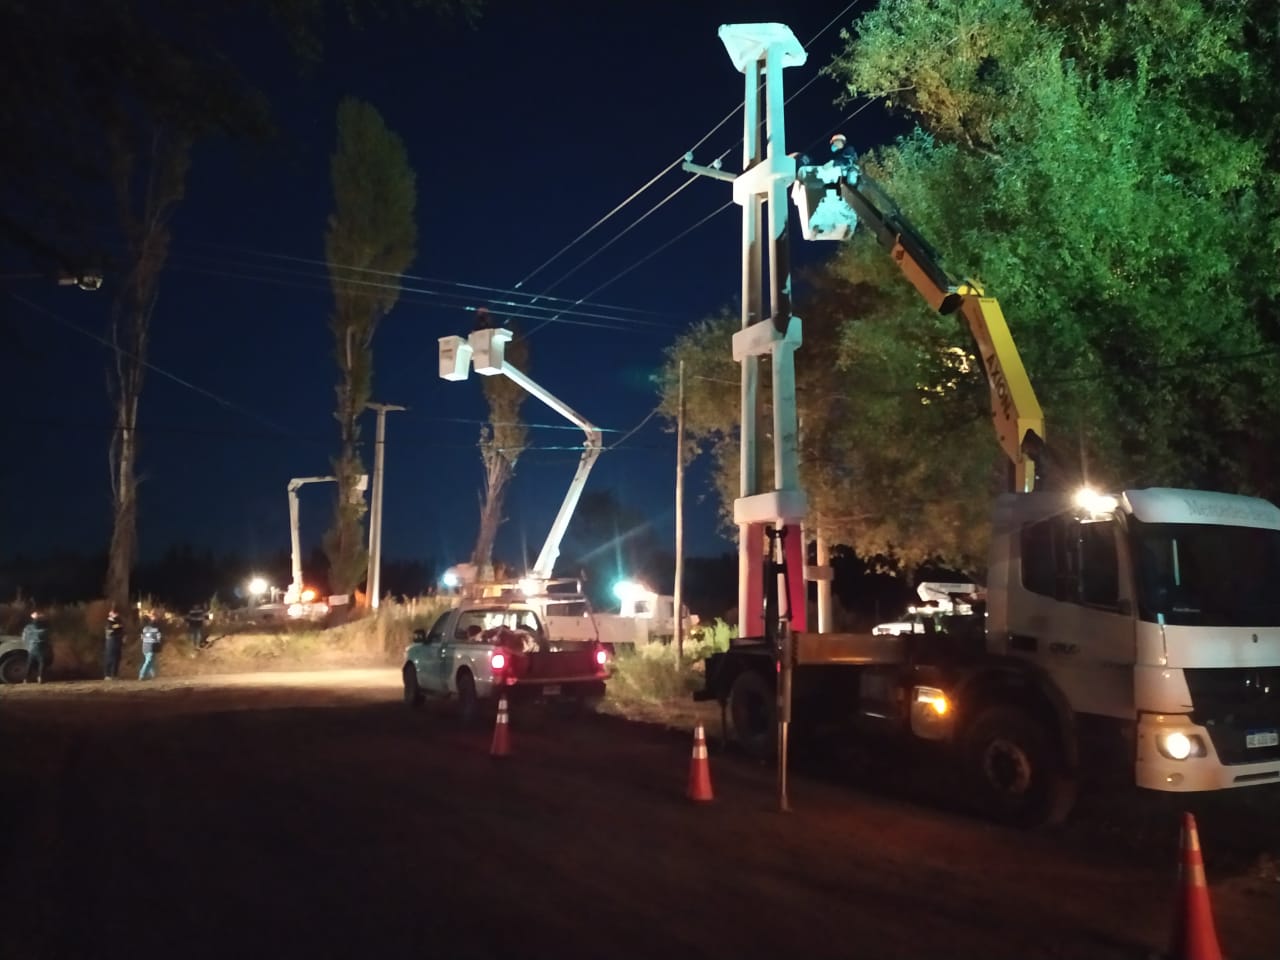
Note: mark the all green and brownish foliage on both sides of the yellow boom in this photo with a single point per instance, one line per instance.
(1109, 172)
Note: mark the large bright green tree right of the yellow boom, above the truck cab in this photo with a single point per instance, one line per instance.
(1108, 191)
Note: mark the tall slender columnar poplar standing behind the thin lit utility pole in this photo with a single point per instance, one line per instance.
(372, 232)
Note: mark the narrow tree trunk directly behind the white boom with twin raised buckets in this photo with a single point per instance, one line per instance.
(502, 441)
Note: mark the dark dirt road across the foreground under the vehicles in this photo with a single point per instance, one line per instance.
(317, 816)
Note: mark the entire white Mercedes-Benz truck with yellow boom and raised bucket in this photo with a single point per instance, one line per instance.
(1136, 630)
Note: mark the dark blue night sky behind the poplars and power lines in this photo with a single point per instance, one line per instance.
(524, 132)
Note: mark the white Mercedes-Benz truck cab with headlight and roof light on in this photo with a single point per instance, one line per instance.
(1155, 611)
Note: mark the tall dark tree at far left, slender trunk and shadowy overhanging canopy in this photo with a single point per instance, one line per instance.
(100, 108)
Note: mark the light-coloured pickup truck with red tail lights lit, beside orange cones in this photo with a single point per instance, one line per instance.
(479, 651)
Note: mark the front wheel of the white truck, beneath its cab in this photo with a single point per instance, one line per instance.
(1016, 774)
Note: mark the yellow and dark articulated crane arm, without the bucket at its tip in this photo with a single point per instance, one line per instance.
(1016, 412)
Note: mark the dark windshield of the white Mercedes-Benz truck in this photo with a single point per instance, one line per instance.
(1203, 575)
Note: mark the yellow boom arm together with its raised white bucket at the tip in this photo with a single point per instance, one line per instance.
(833, 198)
